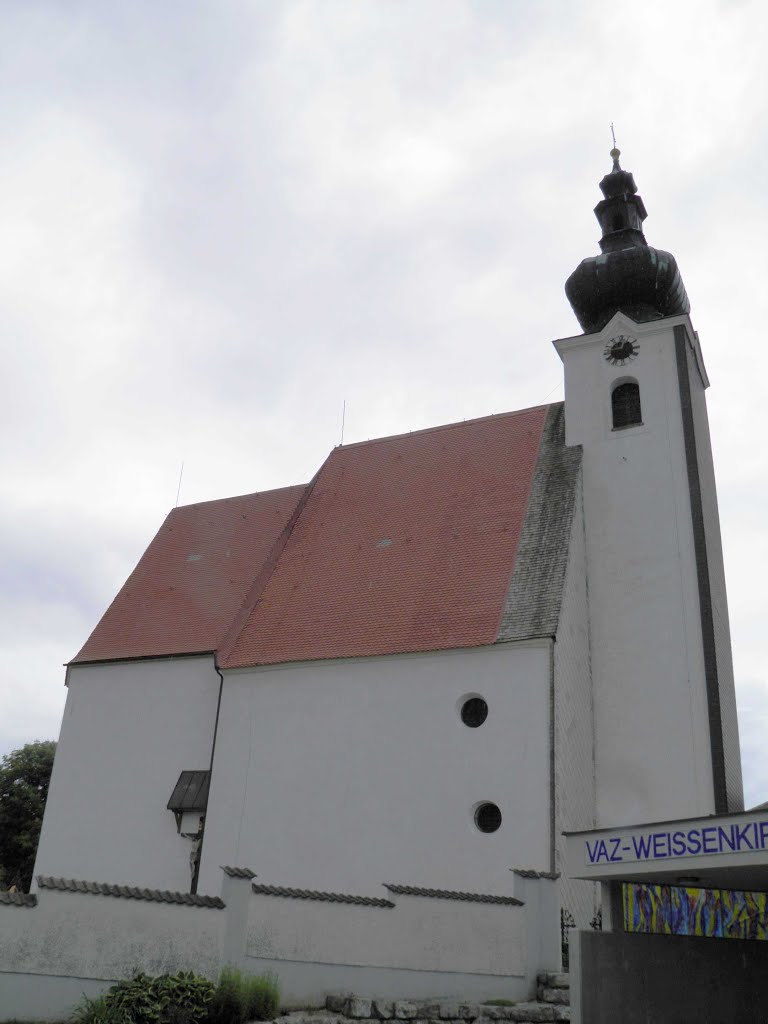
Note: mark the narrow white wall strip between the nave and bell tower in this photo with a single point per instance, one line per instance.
(575, 766)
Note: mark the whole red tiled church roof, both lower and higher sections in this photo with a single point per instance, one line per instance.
(402, 544)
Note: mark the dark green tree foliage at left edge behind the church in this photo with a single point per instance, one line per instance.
(25, 776)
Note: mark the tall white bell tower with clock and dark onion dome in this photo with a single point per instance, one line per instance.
(665, 714)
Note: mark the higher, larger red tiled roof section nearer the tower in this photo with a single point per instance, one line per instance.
(405, 544)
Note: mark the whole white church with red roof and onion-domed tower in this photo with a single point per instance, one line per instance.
(421, 668)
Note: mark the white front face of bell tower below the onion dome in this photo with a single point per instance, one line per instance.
(652, 730)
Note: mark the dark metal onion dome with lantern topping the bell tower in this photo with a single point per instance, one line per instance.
(629, 275)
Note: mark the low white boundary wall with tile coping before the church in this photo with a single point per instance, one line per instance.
(75, 944)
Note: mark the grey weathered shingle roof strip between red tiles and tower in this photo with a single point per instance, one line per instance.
(533, 606)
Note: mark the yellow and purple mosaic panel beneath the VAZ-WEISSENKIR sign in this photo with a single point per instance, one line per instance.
(722, 914)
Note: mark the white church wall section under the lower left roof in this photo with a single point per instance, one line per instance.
(129, 731)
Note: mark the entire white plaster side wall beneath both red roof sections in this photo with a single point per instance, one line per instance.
(337, 776)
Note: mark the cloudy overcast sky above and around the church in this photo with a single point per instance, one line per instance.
(220, 222)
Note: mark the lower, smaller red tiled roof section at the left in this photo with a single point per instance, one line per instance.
(194, 578)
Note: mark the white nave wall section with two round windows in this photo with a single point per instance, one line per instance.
(344, 776)
